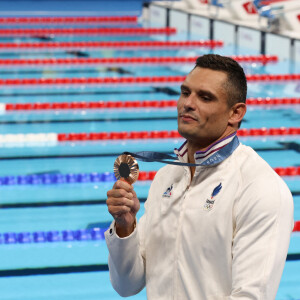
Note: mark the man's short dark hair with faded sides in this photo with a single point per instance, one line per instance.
(236, 85)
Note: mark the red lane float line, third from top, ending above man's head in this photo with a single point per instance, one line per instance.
(108, 45)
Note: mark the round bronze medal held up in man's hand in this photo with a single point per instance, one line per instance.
(126, 167)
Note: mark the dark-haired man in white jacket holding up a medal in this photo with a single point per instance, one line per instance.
(219, 230)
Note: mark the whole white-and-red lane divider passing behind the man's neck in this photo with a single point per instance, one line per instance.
(40, 139)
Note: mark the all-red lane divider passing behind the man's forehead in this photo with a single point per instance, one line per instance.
(142, 80)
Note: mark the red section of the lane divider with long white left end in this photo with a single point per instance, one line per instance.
(133, 135)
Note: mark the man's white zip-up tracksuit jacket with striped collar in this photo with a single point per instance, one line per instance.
(225, 235)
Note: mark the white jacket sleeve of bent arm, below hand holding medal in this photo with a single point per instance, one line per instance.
(126, 260)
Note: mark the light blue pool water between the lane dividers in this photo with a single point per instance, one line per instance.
(50, 268)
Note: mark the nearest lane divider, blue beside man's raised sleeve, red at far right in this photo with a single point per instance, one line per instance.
(79, 235)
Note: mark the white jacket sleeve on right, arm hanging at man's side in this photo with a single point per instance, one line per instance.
(263, 225)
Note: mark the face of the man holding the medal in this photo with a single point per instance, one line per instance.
(203, 112)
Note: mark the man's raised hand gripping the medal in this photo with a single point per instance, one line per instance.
(123, 205)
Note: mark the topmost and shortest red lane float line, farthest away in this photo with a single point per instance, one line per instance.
(67, 20)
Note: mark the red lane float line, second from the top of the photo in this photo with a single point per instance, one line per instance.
(17, 32)
